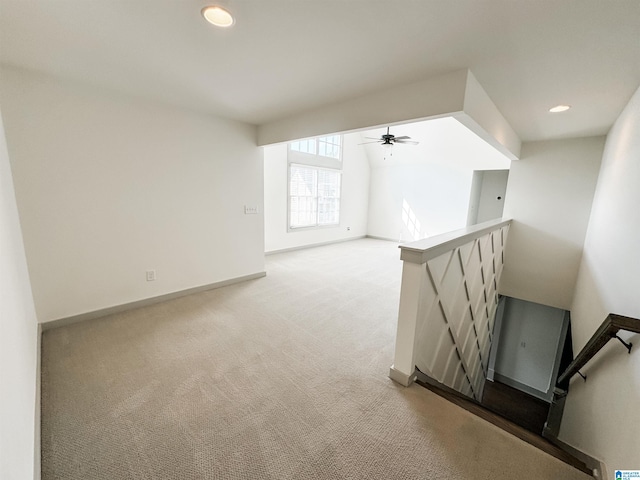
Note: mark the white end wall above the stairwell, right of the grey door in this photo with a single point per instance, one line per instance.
(549, 196)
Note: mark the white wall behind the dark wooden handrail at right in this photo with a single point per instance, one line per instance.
(601, 416)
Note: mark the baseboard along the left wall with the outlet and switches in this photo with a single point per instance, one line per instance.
(60, 322)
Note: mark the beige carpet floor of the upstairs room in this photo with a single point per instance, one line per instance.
(283, 377)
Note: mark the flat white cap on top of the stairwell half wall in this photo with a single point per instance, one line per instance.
(424, 250)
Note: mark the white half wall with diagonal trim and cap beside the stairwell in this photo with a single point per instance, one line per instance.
(448, 302)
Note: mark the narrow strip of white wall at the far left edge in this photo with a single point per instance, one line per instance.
(18, 338)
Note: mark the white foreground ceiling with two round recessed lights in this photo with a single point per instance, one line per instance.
(283, 56)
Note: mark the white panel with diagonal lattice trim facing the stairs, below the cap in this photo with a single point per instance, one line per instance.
(459, 300)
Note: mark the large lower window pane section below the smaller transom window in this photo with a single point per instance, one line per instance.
(314, 196)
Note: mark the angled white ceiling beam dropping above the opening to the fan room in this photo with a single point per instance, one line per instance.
(456, 94)
